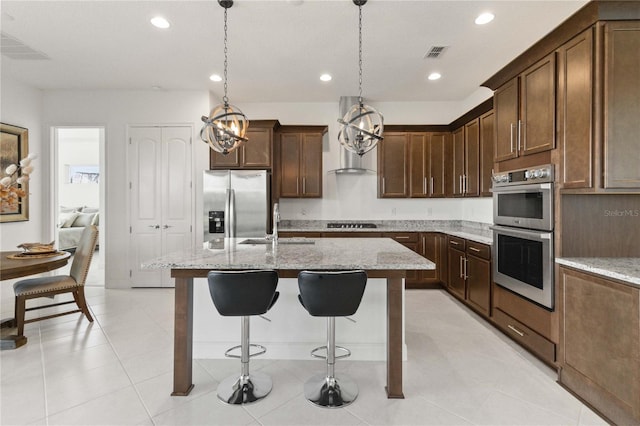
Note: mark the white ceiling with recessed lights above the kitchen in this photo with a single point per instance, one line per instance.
(277, 49)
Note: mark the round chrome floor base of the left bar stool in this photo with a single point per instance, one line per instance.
(242, 390)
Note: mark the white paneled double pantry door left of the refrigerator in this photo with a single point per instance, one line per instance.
(160, 199)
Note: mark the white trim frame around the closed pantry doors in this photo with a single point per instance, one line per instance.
(128, 208)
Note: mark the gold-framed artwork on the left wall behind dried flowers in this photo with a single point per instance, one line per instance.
(14, 146)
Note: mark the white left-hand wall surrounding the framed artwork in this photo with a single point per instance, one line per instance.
(21, 105)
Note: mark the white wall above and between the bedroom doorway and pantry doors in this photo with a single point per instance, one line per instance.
(115, 110)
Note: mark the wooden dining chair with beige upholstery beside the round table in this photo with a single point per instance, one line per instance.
(33, 288)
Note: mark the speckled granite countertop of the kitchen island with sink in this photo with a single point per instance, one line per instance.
(297, 254)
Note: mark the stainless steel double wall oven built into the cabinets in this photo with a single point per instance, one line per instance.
(523, 217)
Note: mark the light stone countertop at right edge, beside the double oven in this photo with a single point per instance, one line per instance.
(625, 269)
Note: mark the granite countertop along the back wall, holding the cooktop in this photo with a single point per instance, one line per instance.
(474, 231)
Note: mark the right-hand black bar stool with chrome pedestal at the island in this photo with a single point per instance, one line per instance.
(331, 294)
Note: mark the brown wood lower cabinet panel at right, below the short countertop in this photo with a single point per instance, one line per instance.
(600, 344)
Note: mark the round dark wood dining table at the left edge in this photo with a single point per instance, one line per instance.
(17, 264)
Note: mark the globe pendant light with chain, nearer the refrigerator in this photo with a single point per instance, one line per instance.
(225, 127)
